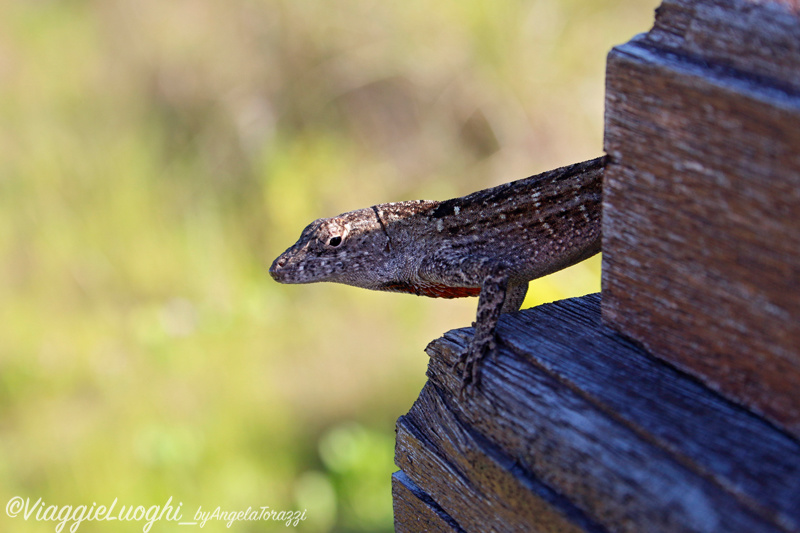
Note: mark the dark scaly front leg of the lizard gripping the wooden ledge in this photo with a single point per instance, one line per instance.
(498, 295)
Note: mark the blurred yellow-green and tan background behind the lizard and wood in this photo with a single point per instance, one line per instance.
(156, 156)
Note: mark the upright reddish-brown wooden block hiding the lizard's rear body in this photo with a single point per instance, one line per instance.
(701, 225)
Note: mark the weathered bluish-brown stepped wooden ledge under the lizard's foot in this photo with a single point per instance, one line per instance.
(576, 428)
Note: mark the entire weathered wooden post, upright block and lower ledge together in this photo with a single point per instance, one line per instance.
(694, 425)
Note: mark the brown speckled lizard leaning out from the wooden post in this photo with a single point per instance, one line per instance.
(489, 243)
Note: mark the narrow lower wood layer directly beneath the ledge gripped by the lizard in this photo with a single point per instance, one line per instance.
(472, 481)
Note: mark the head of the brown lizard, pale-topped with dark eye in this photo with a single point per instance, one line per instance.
(352, 248)
